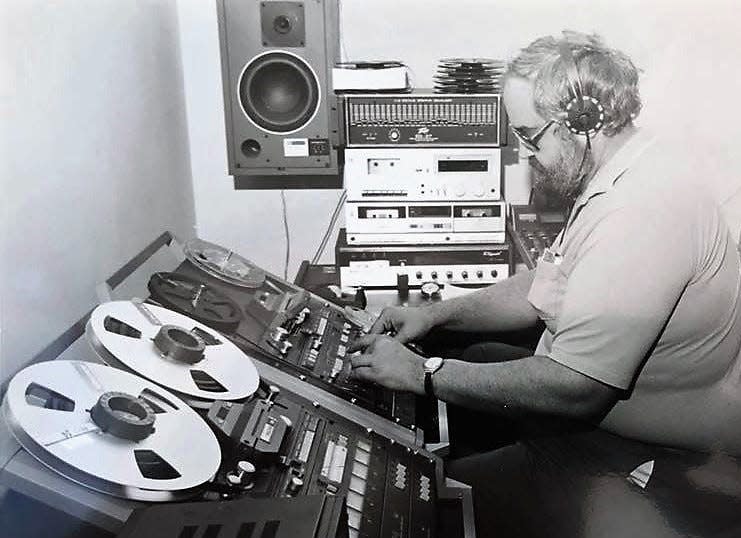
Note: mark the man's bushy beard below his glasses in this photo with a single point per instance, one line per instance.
(558, 185)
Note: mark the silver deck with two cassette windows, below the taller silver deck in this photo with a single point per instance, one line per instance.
(425, 222)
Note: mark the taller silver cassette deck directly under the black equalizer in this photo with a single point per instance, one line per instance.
(382, 174)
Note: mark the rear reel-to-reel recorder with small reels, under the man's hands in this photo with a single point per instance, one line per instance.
(296, 330)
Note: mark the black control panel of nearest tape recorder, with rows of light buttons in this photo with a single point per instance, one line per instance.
(279, 444)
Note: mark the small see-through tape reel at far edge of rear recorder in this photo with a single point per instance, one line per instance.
(223, 264)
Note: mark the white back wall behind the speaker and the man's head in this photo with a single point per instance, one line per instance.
(687, 50)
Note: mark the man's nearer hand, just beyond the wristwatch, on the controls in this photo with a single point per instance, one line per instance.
(388, 362)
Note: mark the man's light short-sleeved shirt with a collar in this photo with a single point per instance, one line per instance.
(643, 295)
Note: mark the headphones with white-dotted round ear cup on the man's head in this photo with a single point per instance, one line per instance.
(585, 115)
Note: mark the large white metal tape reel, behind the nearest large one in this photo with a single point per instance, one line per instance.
(172, 350)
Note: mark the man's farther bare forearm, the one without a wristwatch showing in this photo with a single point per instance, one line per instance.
(501, 307)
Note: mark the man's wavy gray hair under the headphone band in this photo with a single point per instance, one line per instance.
(605, 74)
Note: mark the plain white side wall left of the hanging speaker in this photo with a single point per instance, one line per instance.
(95, 160)
